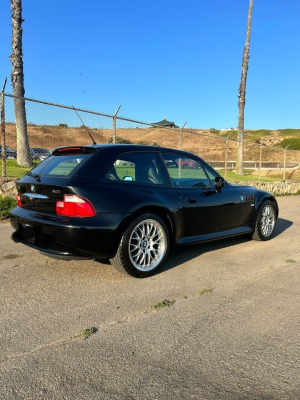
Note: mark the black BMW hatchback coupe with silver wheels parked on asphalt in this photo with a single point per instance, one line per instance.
(130, 204)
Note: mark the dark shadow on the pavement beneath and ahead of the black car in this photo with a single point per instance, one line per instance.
(181, 255)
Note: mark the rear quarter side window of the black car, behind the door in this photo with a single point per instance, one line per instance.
(138, 167)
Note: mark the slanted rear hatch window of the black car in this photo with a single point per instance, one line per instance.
(61, 165)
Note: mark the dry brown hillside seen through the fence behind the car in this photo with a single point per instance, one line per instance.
(211, 146)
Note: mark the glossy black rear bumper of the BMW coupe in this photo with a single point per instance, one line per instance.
(68, 238)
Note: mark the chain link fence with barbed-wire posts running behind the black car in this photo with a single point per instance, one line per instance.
(50, 125)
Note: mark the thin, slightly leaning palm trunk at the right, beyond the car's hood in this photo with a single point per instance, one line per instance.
(242, 96)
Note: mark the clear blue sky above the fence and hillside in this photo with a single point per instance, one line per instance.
(162, 58)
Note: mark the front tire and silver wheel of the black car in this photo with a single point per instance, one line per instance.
(265, 222)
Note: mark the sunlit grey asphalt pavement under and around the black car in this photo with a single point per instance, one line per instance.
(230, 330)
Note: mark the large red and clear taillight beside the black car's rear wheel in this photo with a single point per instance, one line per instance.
(75, 206)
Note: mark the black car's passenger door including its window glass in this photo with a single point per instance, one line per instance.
(206, 210)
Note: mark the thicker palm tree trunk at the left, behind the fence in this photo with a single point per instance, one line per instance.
(17, 79)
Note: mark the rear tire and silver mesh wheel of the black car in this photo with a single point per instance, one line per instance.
(143, 247)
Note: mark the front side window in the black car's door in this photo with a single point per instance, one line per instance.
(185, 172)
